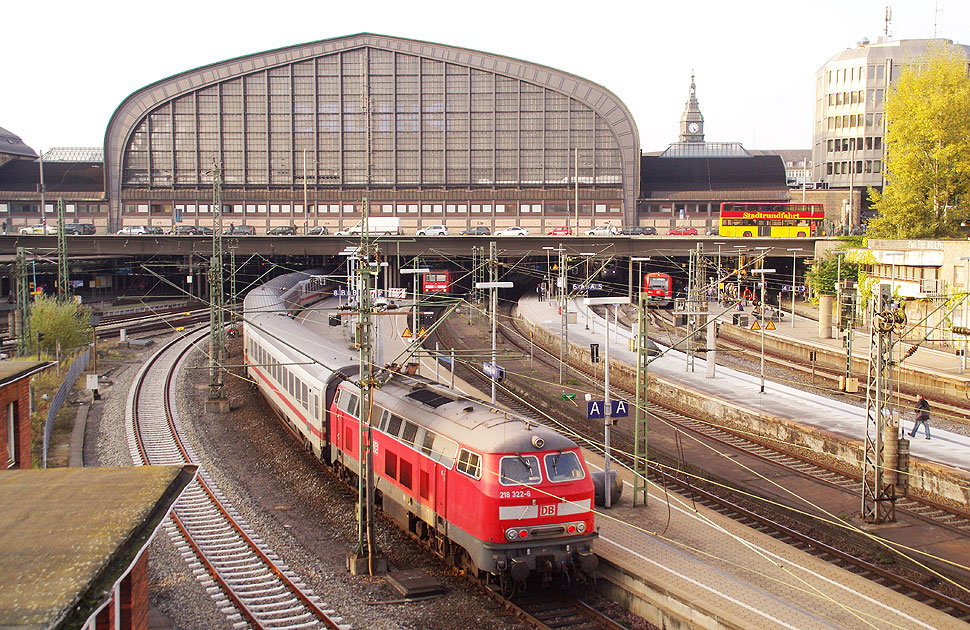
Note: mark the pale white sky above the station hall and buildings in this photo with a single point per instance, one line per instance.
(68, 65)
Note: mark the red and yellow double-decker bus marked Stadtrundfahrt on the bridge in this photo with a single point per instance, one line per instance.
(785, 220)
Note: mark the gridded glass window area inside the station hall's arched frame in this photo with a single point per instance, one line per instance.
(432, 123)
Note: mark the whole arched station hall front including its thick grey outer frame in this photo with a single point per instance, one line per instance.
(423, 123)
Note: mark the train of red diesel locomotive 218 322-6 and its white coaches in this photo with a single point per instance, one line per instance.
(490, 491)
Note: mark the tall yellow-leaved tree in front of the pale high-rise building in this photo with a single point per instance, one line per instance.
(927, 151)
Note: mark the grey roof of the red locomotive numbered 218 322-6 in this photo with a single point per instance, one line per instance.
(466, 420)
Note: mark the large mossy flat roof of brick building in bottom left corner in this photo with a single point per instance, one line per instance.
(68, 534)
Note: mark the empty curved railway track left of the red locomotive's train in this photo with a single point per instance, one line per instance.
(251, 585)
